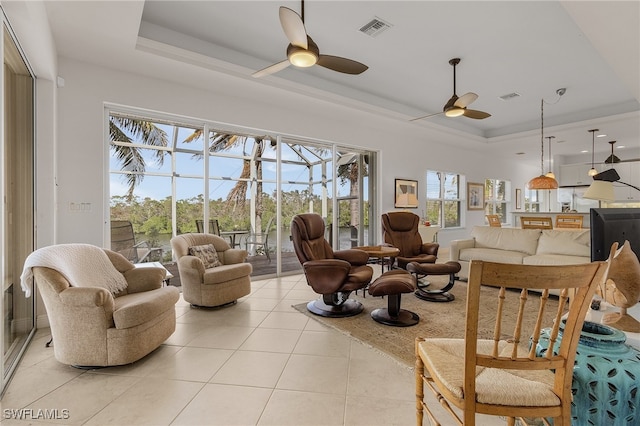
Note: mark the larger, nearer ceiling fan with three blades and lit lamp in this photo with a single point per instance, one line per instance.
(303, 52)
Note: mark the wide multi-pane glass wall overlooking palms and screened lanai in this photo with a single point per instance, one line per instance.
(245, 187)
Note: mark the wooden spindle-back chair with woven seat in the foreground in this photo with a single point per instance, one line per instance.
(495, 370)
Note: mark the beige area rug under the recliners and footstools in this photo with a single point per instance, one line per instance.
(436, 319)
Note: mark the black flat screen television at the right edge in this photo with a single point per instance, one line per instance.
(611, 225)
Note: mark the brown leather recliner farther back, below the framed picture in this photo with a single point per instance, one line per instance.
(400, 229)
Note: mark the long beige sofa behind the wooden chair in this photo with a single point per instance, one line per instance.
(522, 246)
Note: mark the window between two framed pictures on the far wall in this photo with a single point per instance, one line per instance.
(444, 203)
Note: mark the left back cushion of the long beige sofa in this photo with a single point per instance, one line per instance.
(513, 239)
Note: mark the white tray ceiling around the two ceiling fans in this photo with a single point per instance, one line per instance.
(591, 48)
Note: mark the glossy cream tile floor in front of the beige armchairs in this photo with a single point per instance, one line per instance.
(259, 362)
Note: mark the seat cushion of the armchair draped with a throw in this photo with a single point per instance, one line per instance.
(138, 308)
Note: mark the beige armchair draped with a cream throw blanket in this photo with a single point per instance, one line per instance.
(90, 326)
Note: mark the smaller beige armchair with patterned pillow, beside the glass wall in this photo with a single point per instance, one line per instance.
(223, 280)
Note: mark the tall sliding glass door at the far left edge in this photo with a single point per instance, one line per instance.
(17, 190)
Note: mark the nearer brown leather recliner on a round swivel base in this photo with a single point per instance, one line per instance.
(333, 274)
